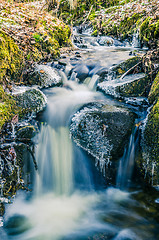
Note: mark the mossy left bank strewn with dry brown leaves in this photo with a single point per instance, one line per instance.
(28, 34)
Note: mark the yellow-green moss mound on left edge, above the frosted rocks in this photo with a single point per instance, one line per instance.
(11, 59)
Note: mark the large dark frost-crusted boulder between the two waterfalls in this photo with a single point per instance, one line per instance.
(102, 130)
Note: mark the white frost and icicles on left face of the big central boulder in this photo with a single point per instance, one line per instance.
(88, 132)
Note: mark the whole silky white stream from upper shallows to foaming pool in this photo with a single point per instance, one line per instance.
(70, 198)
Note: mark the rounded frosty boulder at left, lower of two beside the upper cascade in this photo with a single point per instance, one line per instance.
(31, 101)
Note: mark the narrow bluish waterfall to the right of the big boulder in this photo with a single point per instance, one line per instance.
(126, 163)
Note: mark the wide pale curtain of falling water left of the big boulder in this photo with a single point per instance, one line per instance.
(54, 159)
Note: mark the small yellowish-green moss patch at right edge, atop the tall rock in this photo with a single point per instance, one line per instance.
(154, 92)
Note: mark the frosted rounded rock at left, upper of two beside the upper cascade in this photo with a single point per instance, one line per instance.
(43, 75)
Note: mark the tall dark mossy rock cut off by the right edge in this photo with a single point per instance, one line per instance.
(150, 137)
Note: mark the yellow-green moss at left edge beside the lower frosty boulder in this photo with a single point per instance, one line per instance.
(8, 107)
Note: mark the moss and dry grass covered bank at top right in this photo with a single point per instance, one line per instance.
(120, 18)
